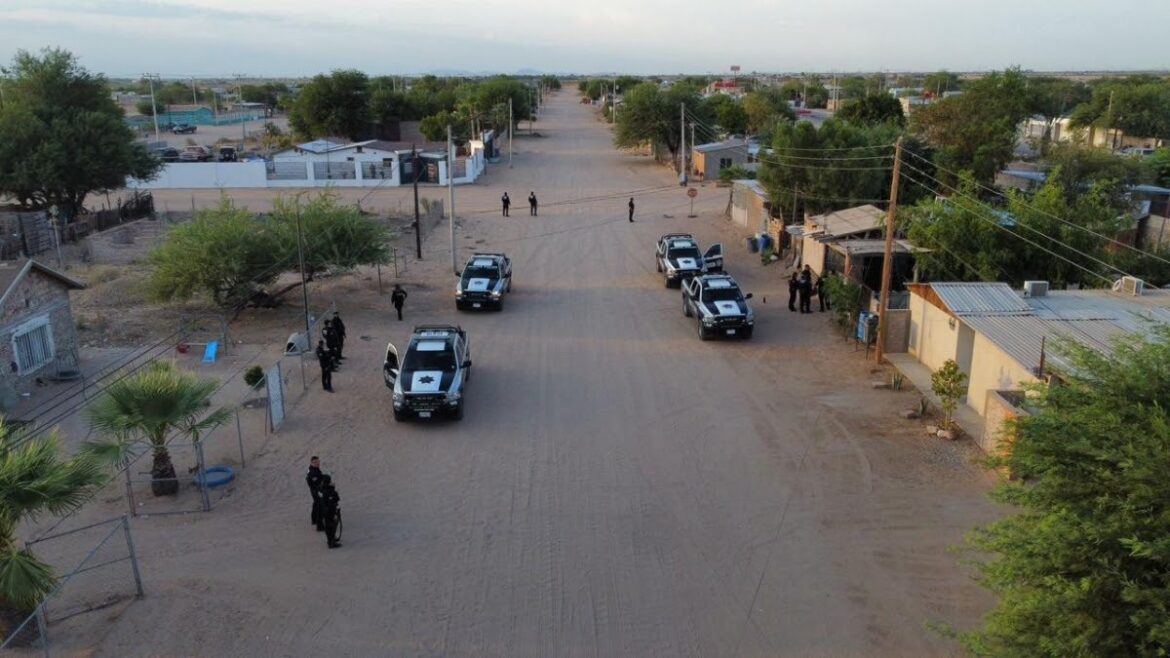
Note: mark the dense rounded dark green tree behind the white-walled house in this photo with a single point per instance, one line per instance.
(335, 105)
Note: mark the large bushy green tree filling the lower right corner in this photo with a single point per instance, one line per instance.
(1084, 567)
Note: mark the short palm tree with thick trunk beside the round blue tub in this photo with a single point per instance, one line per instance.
(147, 409)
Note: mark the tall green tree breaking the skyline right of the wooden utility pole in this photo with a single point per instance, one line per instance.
(976, 132)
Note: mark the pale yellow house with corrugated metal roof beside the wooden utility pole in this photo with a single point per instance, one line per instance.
(1004, 339)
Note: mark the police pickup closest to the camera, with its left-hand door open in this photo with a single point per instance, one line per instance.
(429, 381)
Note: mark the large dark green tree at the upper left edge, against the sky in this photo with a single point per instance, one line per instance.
(61, 135)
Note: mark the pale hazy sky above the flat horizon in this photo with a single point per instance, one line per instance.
(300, 38)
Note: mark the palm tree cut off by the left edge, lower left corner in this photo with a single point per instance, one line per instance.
(36, 479)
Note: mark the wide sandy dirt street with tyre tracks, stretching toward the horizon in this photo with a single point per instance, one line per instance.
(617, 489)
